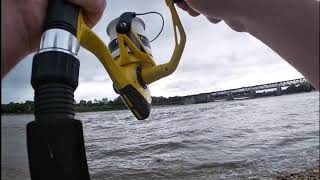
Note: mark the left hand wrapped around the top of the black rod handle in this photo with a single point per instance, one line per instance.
(22, 24)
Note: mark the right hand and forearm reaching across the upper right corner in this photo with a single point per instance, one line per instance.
(289, 27)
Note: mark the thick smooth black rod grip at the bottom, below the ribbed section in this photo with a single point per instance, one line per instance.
(56, 150)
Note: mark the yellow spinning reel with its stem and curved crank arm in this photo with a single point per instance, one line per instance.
(132, 69)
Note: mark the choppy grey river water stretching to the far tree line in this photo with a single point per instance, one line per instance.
(247, 139)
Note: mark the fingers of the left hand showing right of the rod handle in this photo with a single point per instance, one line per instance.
(93, 10)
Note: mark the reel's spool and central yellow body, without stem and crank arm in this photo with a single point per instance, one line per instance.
(131, 52)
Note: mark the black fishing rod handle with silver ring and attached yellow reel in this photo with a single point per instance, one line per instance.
(55, 139)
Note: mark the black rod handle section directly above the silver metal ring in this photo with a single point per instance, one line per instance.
(62, 15)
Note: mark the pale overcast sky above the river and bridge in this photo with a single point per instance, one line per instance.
(215, 58)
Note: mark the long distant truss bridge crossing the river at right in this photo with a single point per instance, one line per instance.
(251, 91)
